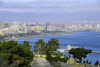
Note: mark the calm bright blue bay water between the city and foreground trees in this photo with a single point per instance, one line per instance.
(89, 40)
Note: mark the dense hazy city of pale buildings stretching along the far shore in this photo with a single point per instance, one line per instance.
(19, 29)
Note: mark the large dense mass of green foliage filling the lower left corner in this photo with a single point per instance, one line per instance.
(13, 54)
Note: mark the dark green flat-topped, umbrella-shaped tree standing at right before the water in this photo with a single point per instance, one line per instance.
(79, 53)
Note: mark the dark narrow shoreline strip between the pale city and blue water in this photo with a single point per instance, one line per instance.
(29, 35)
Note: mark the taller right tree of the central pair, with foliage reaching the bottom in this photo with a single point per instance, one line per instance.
(52, 55)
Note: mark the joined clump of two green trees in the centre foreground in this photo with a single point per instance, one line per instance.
(50, 50)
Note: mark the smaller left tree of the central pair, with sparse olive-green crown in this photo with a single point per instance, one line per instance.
(39, 47)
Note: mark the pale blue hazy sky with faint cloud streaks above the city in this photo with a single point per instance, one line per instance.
(58, 11)
